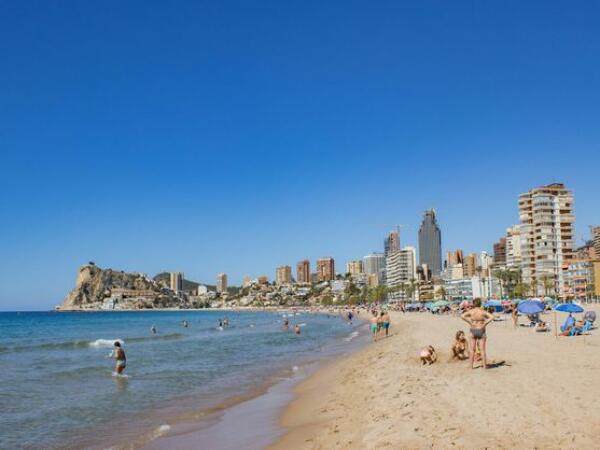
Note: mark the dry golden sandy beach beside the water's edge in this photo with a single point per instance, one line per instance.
(543, 393)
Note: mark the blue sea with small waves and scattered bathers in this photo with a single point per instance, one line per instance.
(58, 388)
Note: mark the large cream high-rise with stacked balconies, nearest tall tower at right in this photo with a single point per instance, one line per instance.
(546, 215)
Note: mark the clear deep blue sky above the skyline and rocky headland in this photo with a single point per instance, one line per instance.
(237, 136)
